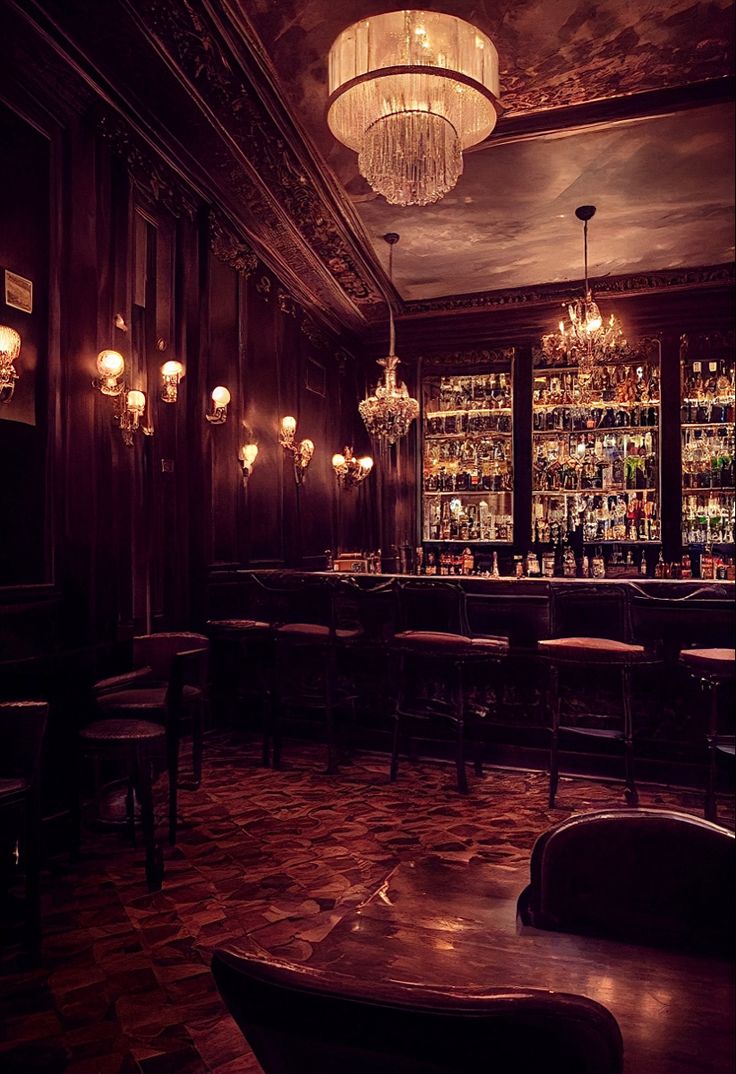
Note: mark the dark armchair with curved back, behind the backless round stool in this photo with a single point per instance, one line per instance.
(174, 704)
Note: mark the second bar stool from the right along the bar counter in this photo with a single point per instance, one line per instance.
(599, 609)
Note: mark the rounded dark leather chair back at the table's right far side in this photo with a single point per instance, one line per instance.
(651, 877)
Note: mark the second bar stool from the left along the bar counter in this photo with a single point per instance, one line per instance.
(306, 665)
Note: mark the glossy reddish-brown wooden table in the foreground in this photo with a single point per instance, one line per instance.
(441, 923)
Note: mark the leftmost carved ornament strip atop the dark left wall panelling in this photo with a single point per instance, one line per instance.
(157, 184)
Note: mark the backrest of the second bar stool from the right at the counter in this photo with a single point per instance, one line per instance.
(588, 612)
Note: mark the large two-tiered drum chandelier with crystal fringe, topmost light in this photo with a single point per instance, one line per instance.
(409, 92)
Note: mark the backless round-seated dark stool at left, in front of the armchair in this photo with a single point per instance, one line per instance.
(136, 747)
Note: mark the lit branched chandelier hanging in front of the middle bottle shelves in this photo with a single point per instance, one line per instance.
(586, 341)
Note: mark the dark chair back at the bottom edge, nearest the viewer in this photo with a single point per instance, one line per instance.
(302, 1021)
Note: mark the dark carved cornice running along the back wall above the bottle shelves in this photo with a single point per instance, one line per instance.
(604, 287)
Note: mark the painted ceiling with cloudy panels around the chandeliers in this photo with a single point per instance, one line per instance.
(663, 186)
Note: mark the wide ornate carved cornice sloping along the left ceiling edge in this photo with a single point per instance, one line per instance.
(187, 34)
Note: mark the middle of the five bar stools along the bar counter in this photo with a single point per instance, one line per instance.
(435, 641)
